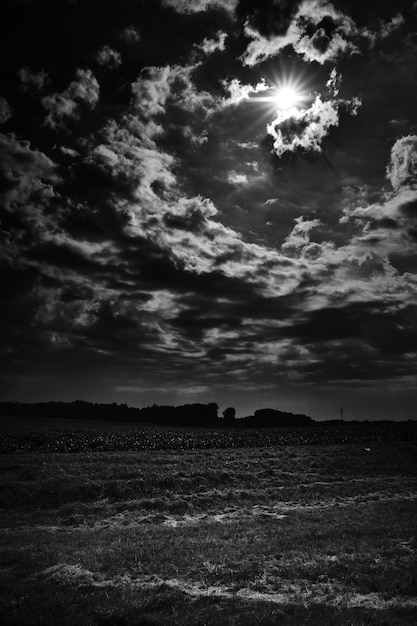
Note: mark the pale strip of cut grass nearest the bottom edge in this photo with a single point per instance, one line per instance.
(299, 592)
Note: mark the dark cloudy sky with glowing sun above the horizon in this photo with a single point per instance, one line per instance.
(210, 201)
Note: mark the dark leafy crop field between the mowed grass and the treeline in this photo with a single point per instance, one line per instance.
(30, 435)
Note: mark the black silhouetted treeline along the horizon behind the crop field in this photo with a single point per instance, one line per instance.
(185, 415)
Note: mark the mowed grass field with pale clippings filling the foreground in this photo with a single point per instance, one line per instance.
(277, 535)
